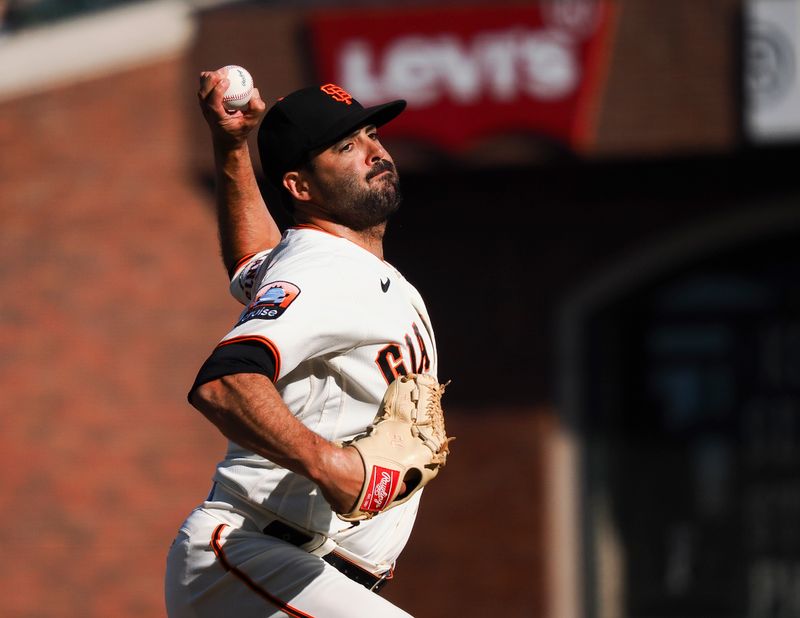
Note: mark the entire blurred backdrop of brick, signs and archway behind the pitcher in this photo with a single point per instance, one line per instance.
(601, 210)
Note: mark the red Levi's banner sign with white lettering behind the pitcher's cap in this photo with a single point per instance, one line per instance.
(472, 72)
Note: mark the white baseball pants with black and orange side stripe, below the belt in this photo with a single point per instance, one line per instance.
(220, 564)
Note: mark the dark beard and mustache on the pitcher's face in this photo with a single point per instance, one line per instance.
(359, 207)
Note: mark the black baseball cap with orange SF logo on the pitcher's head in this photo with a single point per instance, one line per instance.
(309, 119)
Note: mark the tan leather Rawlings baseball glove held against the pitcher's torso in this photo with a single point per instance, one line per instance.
(406, 443)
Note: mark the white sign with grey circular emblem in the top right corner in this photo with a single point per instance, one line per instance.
(772, 70)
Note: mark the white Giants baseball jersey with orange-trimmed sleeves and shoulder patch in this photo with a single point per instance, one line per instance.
(341, 324)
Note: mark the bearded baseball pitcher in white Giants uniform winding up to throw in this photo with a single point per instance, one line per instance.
(320, 377)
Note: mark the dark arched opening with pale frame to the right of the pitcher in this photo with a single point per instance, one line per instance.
(680, 375)
